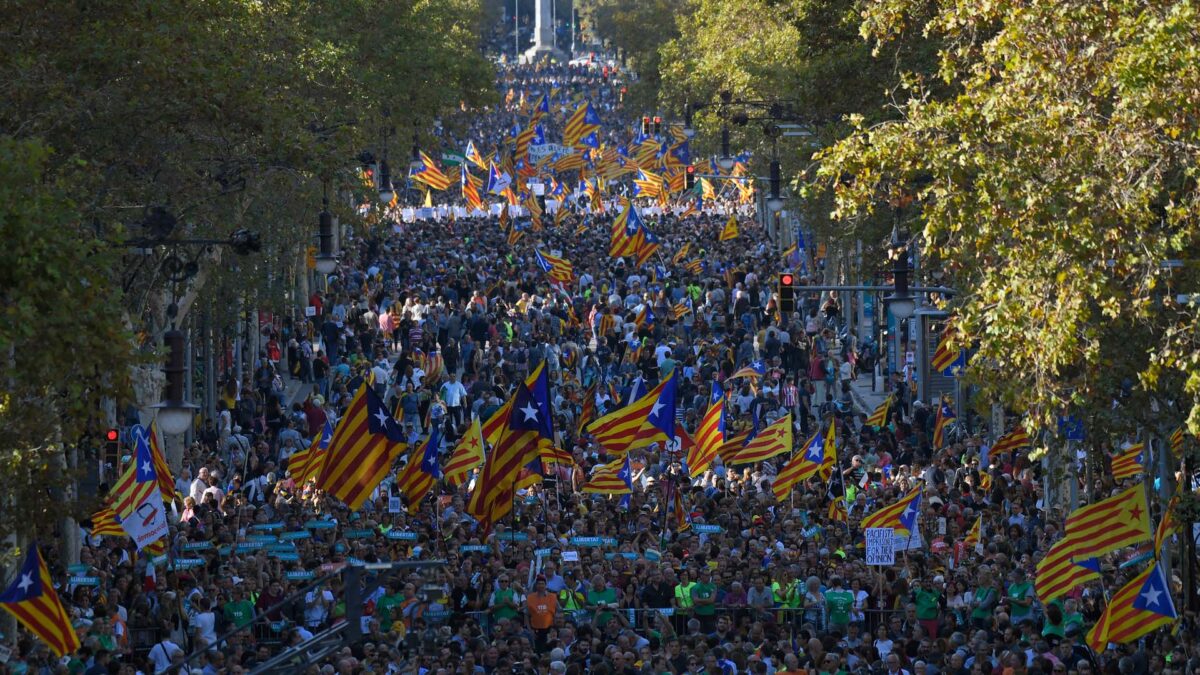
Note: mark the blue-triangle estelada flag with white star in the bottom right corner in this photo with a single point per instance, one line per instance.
(1141, 607)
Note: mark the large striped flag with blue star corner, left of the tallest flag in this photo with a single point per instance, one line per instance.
(364, 447)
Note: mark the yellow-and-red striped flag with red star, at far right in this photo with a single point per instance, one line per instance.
(1112, 524)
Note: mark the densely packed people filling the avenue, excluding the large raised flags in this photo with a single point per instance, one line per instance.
(445, 319)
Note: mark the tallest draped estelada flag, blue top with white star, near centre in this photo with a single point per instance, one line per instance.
(529, 426)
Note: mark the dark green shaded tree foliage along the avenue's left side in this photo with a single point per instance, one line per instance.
(230, 114)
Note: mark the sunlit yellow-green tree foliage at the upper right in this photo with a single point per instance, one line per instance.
(1053, 186)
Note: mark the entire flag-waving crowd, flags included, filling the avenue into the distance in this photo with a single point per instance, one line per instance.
(589, 414)
